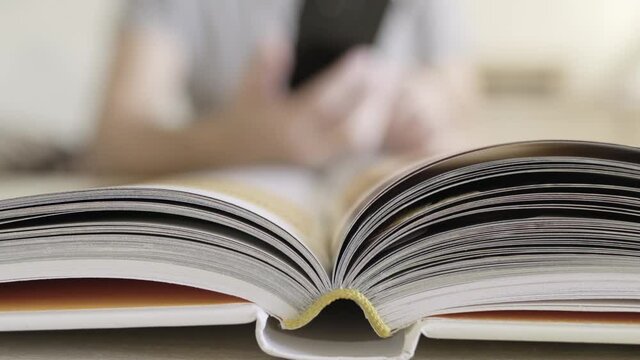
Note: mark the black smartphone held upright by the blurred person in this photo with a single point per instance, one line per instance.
(329, 28)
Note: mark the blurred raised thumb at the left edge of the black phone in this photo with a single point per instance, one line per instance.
(268, 73)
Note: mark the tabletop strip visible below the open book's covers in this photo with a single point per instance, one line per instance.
(238, 342)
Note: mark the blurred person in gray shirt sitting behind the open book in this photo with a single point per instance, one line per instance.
(230, 61)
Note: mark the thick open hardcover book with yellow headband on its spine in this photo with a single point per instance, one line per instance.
(524, 241)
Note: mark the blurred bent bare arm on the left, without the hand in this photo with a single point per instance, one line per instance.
(149, 72)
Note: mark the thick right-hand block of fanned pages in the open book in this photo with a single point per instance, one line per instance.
(483, 230)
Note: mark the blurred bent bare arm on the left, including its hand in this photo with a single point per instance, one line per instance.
(263, 122)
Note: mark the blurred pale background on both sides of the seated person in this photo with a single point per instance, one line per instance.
(545, 69)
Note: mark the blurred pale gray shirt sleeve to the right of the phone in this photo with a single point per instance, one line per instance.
(442, 32)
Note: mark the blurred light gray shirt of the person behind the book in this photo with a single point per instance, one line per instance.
(219, 36)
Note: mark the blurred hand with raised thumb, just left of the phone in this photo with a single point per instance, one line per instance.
(312, 126)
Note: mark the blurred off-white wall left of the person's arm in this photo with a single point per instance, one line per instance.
(53, 54)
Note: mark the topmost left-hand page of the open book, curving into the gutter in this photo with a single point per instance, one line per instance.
(287, 196)
